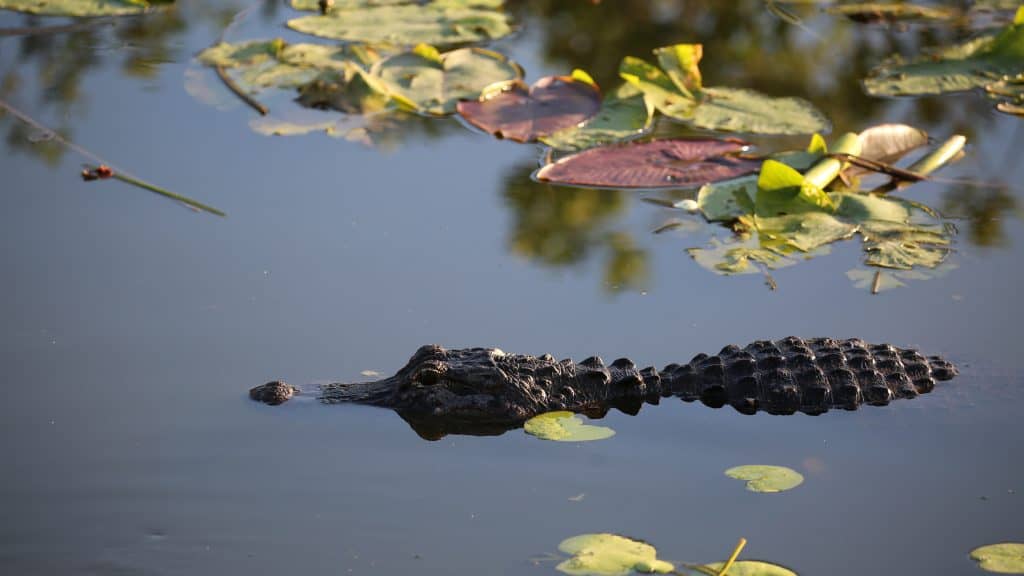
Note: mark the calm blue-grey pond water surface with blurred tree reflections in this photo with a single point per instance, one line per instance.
(133, 328)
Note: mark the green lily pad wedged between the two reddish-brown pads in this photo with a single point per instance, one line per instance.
(625, 114)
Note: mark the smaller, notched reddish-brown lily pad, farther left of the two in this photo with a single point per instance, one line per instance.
(510, 110)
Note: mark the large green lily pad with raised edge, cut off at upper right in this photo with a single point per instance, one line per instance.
(971, 65)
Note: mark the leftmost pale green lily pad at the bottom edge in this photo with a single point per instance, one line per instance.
(610, 555)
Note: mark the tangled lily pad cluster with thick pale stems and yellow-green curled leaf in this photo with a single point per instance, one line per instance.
(783, 215)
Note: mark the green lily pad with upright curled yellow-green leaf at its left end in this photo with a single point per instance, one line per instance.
(676, 90)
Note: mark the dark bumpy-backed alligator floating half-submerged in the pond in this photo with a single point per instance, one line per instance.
(487, 391)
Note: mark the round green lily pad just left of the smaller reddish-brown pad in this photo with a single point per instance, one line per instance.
(436, 83)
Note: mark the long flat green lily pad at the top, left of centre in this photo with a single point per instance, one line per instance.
(437, 24)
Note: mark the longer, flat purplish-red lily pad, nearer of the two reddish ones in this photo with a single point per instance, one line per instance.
(671, 163)
